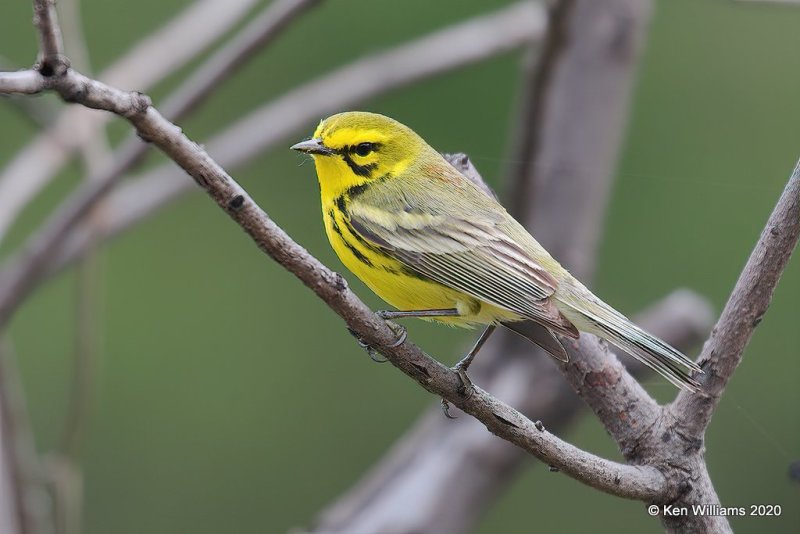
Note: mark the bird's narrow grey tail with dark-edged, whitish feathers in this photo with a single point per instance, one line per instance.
(591, 314)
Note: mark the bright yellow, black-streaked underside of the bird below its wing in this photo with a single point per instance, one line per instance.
(405, 289)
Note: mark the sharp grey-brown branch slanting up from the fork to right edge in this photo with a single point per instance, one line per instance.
(744, 311)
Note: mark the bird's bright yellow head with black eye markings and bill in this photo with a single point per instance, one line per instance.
(353, 148)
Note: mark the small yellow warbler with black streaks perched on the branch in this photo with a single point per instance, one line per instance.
(436, 246)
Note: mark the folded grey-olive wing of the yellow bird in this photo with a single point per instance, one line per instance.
(461, 245)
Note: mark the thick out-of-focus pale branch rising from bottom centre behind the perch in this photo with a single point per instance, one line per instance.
(442, 475)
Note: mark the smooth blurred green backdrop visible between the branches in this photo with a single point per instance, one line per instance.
(228, 398)
